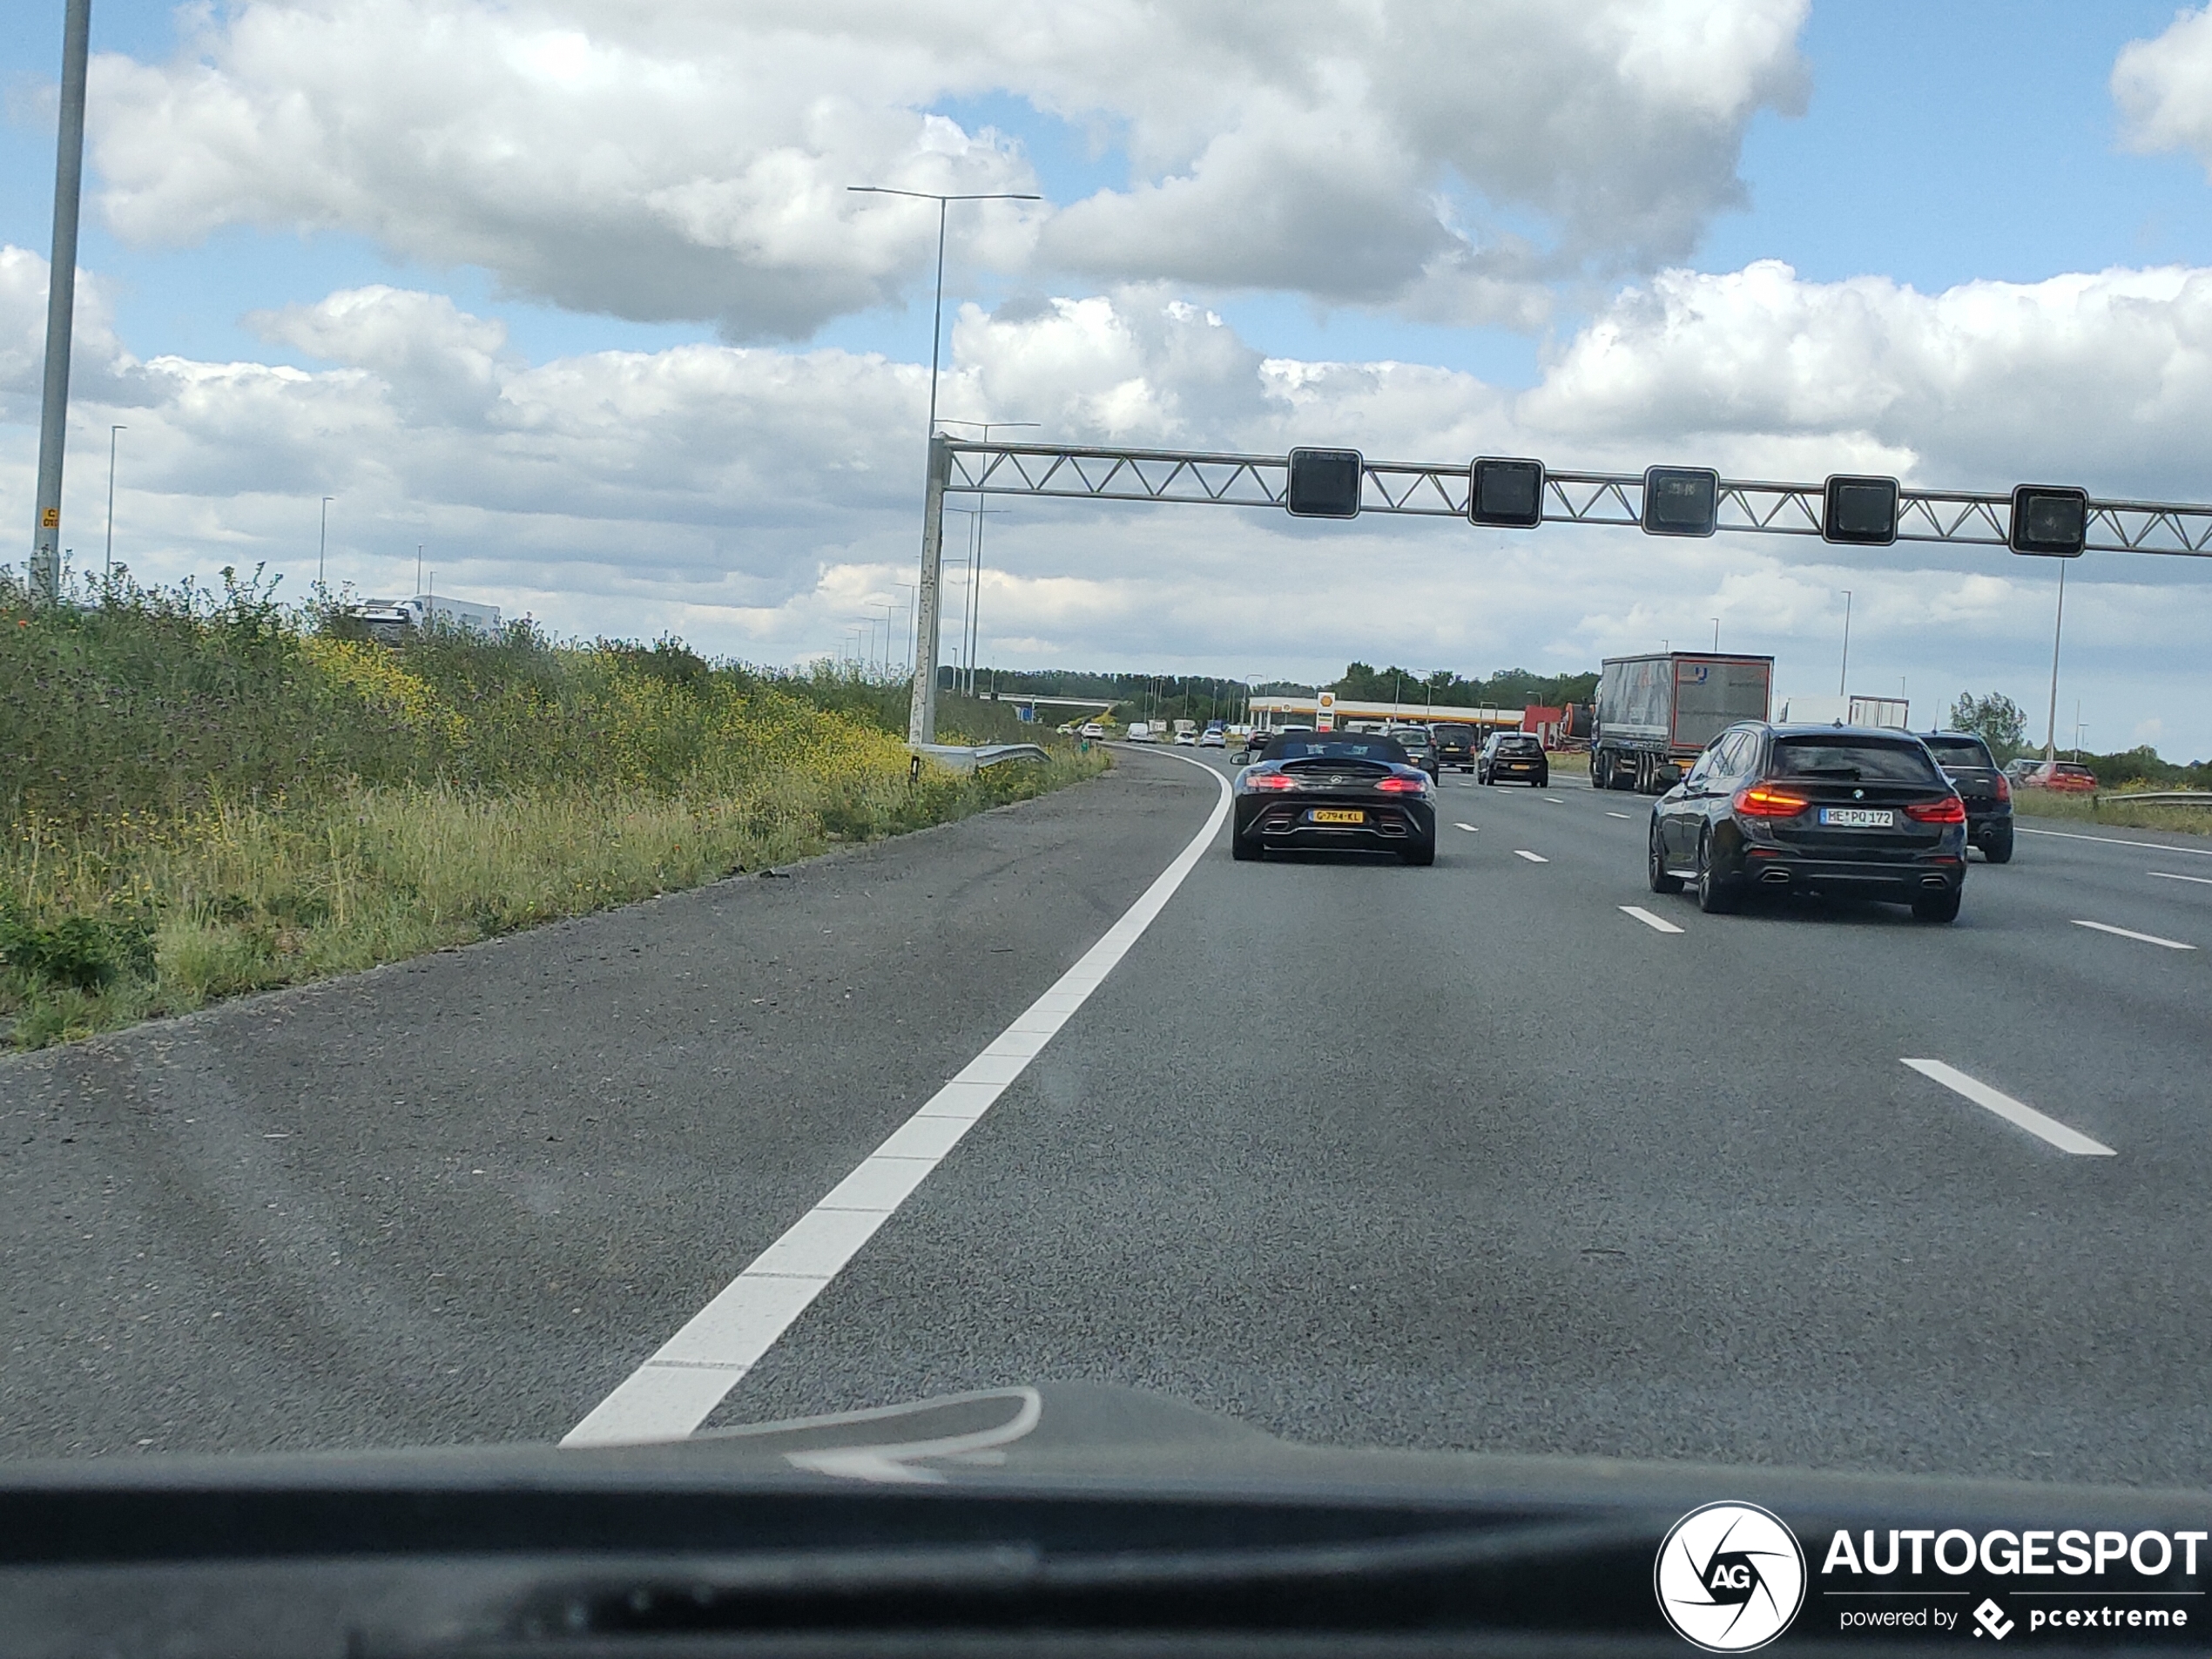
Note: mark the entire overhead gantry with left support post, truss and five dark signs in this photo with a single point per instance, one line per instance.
(1505, 492)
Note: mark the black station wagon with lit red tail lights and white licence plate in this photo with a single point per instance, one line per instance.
(1841, 811)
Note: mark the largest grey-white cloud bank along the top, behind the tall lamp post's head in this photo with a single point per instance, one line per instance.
(689, 160)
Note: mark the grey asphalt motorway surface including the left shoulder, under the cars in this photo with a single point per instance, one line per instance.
(1507, 1154)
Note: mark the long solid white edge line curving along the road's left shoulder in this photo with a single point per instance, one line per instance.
(680, 1386)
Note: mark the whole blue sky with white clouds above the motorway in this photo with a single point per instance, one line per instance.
(570, 302)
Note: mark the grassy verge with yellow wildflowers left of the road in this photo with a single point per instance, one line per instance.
(205, 797)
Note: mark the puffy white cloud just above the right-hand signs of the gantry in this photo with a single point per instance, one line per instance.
(2096, 379)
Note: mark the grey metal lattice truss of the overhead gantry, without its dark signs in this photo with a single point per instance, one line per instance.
(1957, 517)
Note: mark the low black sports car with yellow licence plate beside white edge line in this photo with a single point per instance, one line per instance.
(1335, 793)
